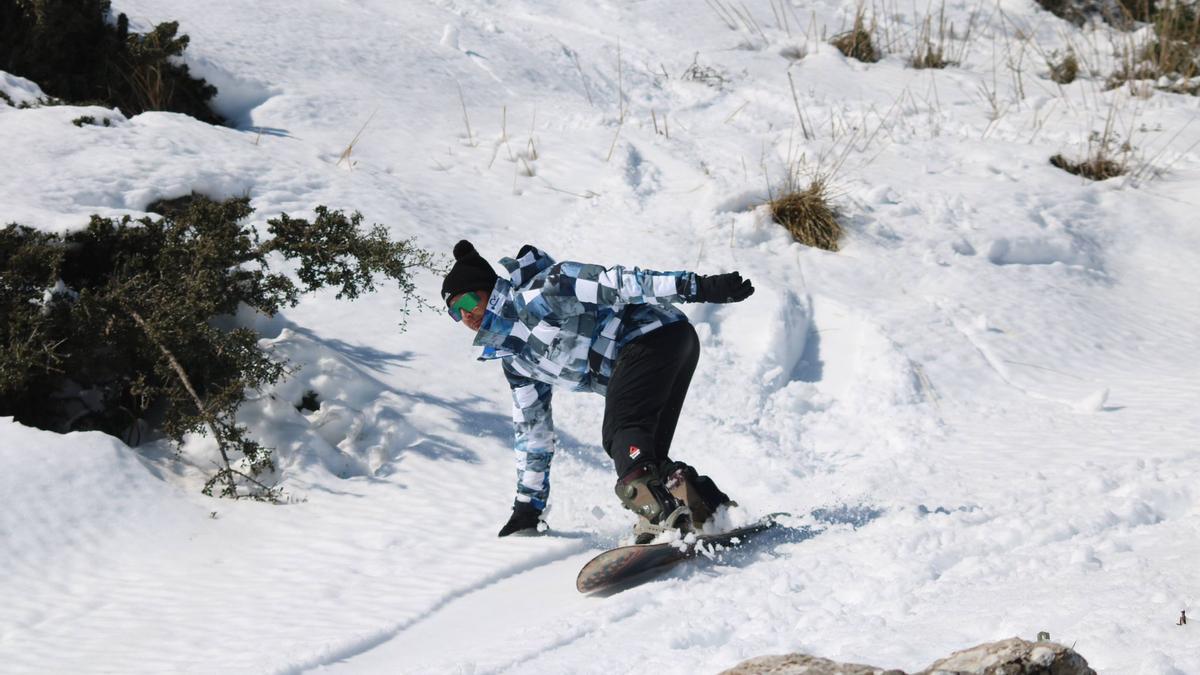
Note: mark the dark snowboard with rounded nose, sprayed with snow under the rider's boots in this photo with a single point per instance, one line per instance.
(628, 566)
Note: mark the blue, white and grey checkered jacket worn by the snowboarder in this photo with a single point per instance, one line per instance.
(563, 325)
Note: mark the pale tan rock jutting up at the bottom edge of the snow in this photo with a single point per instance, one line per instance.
(1006, 658)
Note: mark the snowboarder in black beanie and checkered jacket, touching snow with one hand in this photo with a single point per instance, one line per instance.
(613, 331)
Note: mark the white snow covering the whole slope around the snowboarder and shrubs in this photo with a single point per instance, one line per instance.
(986, 404)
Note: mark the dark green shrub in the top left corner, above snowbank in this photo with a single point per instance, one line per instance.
(71, 51)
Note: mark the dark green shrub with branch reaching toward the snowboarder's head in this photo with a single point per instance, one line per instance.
(115, 328)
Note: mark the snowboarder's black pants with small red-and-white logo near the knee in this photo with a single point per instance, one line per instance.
(646, 395)
